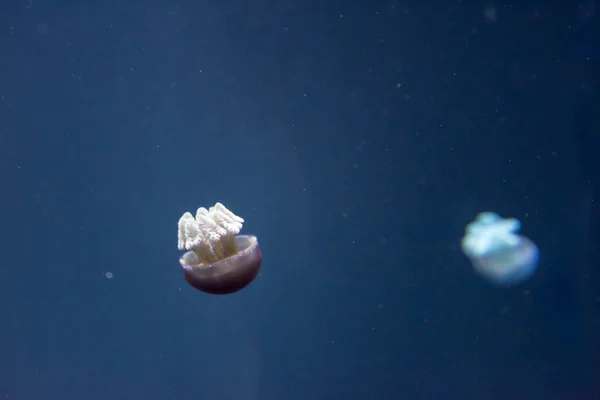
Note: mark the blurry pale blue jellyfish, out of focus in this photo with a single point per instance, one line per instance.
(497, 252)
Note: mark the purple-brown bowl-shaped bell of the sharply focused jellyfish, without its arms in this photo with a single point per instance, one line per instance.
(225, 276)
